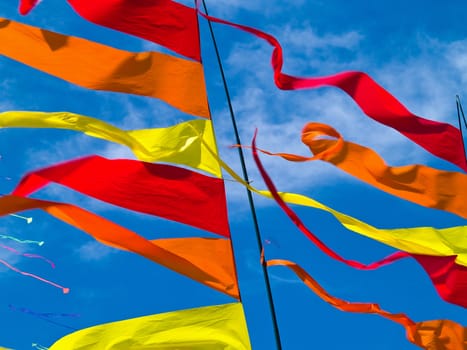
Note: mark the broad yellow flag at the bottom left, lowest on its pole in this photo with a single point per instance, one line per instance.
(204, 328)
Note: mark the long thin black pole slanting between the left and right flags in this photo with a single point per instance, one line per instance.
(245, 177)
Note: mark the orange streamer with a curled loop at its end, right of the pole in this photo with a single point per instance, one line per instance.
(429, 187)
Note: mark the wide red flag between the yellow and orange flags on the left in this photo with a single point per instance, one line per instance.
(166, 191)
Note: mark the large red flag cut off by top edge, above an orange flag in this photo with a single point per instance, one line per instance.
(167, 23)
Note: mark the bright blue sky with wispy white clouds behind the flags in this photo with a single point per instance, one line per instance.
(418, 51)
